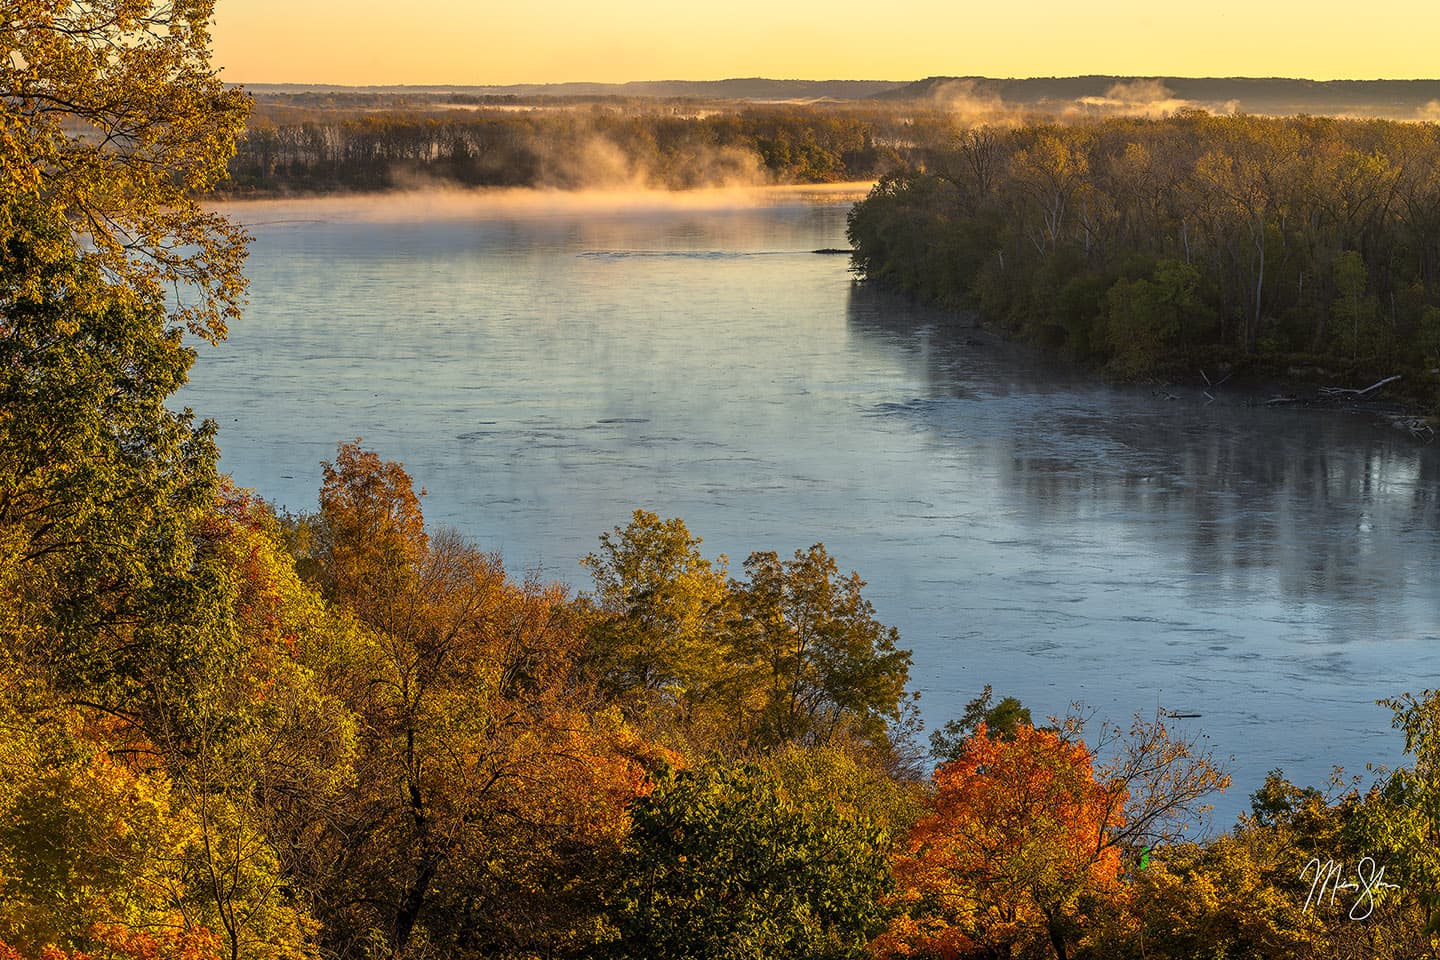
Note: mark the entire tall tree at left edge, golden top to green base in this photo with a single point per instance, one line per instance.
(112, 119)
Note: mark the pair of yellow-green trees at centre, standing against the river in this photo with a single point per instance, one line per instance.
(793, 654)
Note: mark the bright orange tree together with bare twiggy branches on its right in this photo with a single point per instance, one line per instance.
(1025, 837)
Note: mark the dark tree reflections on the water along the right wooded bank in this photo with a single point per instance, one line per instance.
(1298, 504)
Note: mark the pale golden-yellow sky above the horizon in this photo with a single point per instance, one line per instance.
(464, 42)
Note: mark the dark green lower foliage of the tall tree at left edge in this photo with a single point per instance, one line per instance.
(103, 486)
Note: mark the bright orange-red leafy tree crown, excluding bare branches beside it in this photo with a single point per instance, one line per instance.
(1013, 854)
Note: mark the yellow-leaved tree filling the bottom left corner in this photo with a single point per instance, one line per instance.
(97, 851)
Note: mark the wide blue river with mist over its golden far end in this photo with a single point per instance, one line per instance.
(545, 365)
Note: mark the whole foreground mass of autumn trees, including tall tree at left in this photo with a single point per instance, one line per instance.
(235, 735)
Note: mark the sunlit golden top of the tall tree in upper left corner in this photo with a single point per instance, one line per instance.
(113, 119)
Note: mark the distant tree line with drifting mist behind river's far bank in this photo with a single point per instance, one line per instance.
(595, 146)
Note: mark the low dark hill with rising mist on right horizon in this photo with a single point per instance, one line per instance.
(1412, 100)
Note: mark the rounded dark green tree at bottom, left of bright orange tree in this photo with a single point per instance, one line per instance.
(724, 861)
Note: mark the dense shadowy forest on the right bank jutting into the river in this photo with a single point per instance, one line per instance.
(1163, 248)
